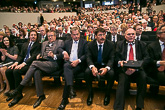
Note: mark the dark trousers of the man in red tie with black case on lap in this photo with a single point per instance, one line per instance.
(124, 79)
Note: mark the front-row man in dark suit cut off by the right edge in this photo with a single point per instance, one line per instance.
(156, 52)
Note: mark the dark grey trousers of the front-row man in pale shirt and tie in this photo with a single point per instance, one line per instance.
(69, 73)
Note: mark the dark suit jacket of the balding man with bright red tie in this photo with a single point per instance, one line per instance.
(121, 51)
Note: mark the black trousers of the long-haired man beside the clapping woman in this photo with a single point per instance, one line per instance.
(14, 76)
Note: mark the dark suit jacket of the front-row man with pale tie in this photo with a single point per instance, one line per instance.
(81, 49)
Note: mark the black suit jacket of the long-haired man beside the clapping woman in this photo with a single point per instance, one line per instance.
(34, 51)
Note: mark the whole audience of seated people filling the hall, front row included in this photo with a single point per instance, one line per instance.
(103, 31)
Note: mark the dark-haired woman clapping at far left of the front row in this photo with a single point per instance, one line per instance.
(9, 55)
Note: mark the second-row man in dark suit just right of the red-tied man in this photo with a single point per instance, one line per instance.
(139, 36)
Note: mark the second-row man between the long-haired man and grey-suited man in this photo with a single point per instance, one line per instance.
(42, 36)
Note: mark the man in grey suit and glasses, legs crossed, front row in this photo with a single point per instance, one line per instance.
(48, 61)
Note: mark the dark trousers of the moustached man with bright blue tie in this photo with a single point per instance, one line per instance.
(109, 76)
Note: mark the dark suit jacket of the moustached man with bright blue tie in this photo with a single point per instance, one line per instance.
(107, 55)
